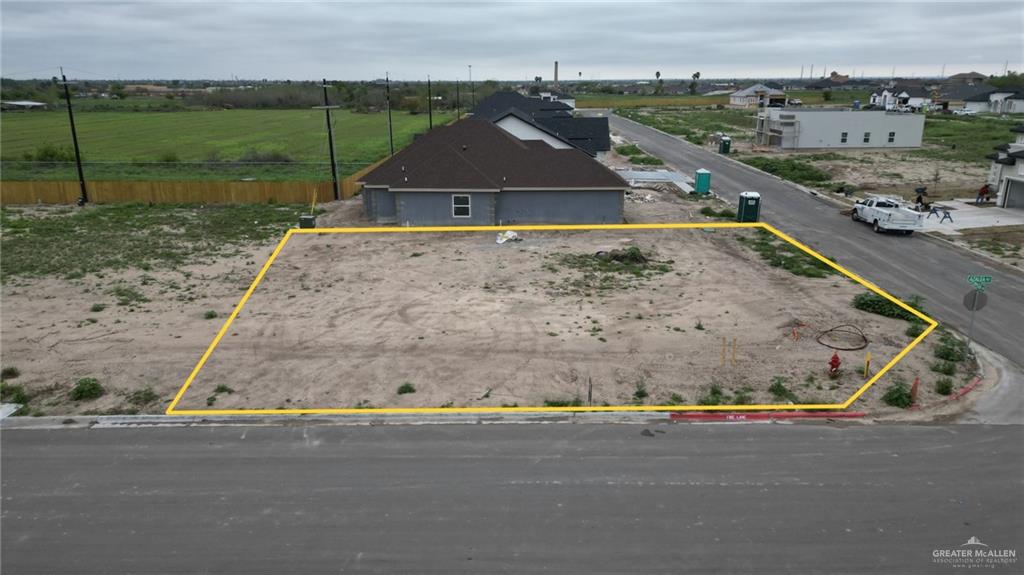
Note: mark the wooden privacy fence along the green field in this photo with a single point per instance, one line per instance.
(13, 193)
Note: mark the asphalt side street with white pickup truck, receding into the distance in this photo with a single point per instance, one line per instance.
(899, 264)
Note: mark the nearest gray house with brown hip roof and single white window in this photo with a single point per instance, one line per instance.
(476, 172)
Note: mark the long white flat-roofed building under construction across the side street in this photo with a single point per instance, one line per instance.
(812, 128)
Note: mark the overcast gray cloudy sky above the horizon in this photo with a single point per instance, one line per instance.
(507, 40)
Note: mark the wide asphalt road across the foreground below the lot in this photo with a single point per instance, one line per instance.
(507, 499)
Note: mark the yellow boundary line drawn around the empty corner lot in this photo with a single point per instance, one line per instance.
(173, 409)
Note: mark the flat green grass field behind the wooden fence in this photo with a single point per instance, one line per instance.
(201, 145)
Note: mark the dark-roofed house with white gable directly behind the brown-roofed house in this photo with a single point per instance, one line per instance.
(552, 117)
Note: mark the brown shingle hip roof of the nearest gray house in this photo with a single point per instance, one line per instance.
(474, 154)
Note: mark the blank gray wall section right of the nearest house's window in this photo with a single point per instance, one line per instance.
(560, 208)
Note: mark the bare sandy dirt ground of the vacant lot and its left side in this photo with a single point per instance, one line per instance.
(345, 321)
